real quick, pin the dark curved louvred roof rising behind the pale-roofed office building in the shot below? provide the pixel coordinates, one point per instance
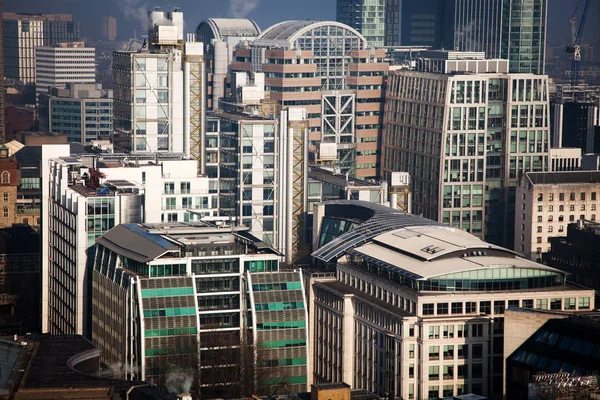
(373, 220)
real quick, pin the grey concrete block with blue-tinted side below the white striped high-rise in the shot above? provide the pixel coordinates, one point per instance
(83, 112)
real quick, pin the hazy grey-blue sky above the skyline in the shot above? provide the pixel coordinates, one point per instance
(130, 13)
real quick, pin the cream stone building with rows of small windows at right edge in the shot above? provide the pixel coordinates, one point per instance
(547, 202)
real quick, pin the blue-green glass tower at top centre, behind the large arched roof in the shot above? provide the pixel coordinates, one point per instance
(378, 21)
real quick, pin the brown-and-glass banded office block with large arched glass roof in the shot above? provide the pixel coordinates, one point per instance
(327, 68)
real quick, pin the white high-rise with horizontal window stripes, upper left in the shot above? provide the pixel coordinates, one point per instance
(63, 63)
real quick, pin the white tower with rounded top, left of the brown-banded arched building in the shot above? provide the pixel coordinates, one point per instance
(220, 37)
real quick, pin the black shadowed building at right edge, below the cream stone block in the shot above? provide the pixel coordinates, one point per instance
(575, 253)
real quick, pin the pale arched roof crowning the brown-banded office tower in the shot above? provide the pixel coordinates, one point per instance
(286, 32)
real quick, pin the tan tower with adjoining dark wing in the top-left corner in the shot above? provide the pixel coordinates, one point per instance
(23, 33)
